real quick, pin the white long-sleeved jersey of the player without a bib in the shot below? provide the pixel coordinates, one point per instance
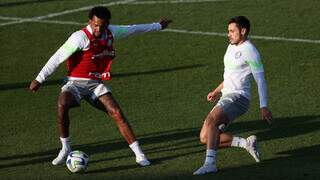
(241, 63)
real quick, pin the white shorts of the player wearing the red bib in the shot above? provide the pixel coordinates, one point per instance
(90, 90)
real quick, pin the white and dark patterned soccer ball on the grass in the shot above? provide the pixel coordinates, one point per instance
(77, 161)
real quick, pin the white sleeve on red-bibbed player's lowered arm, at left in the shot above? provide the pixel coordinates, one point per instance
(75, 42)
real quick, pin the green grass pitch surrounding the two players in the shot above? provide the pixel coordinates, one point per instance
(161, 80)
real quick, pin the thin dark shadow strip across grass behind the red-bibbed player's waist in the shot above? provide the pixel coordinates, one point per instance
(25, 85)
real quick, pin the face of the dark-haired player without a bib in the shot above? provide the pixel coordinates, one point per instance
(235, 34)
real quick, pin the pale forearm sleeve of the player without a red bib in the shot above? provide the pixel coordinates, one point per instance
(262, 88)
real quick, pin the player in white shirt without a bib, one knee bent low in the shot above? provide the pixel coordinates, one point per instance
(241, 63)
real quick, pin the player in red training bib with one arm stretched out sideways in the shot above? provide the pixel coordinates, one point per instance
(89, 53)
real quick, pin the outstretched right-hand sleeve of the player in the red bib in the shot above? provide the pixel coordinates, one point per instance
(123, 31)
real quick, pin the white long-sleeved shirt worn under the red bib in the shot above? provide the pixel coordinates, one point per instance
(78, 41)
